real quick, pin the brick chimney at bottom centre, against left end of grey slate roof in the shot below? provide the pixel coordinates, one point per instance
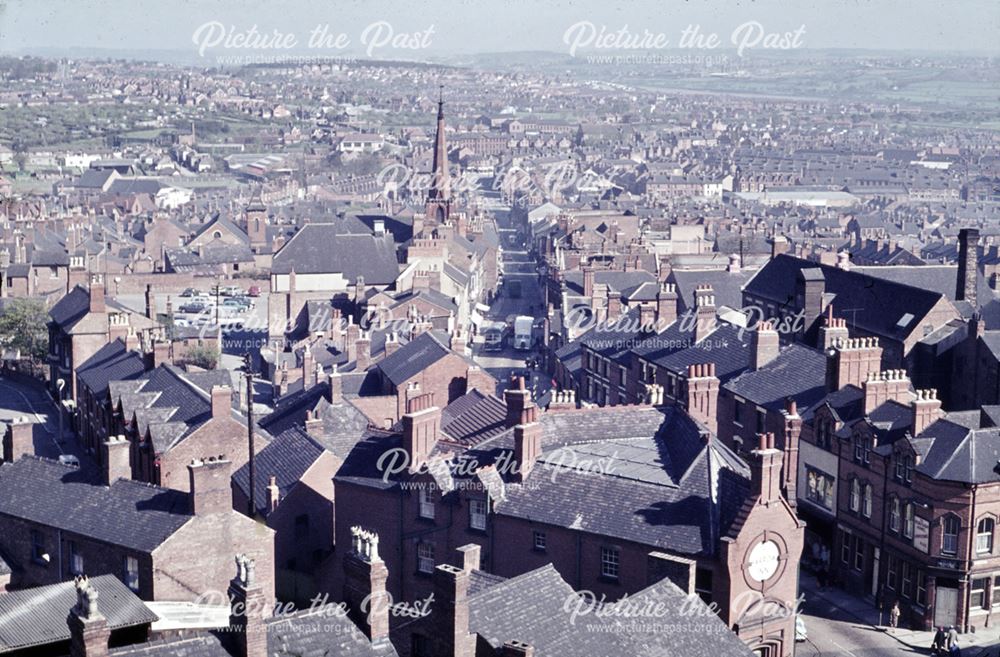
(451, 613)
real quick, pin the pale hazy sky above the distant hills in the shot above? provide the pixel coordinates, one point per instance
(467, 26)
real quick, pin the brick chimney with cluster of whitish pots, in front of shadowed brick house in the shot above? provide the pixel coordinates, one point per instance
(365, 576)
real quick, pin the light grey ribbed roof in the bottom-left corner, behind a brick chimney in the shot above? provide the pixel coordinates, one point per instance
(37, 616)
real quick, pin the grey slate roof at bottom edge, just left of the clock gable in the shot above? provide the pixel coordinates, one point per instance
(532, 608)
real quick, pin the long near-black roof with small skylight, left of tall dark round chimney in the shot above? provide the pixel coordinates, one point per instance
(877, 306)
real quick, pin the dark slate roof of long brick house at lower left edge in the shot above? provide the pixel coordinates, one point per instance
(127, 513)
